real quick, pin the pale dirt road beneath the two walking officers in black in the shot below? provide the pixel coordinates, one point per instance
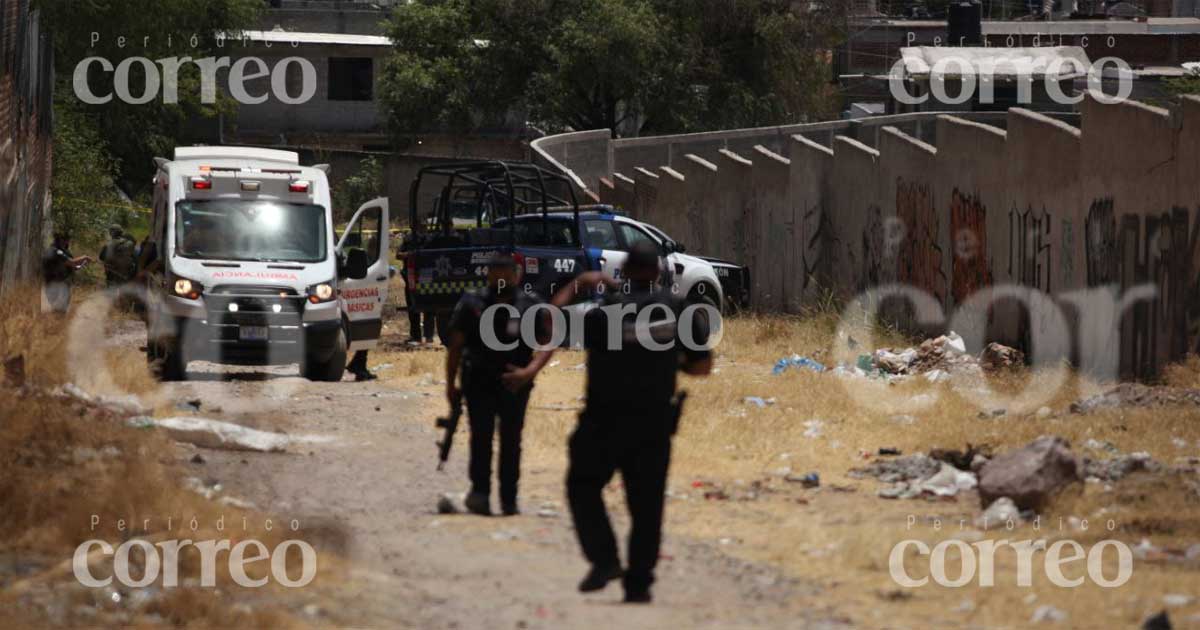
(370, 496)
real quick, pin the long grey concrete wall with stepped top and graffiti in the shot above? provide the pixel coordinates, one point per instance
(1075, 242)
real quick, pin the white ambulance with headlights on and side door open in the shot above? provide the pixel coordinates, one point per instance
(243, 268)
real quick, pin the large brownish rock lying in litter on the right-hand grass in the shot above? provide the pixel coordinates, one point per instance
(1030, 476)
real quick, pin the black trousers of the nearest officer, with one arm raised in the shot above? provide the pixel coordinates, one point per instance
(639, 447)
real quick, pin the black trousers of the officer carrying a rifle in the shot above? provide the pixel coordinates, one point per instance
(484, 405)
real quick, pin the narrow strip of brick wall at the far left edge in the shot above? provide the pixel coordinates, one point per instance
(27, 85)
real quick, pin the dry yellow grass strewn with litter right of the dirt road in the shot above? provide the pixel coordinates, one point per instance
(841, 539)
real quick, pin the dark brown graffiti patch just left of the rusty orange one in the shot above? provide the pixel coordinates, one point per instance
(920, 261)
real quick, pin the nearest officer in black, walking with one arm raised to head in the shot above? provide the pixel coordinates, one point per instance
(631, 415)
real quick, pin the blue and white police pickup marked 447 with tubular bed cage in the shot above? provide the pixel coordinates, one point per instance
(535, 217)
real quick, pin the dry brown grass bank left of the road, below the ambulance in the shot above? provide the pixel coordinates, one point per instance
(67, 461)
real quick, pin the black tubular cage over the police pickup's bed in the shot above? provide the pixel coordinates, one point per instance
(514, 189)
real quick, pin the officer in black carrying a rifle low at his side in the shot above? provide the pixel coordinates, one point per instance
(499, 368)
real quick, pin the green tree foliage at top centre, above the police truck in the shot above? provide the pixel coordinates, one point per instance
(628, 65)
